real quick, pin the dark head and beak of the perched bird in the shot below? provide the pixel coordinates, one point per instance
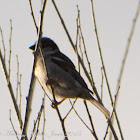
(47, 45)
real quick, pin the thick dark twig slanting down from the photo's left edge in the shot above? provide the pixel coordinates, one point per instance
(11, 90)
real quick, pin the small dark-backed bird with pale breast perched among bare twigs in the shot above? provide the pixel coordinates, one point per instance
(54, 69)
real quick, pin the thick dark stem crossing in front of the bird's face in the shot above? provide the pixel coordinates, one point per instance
(30, 94)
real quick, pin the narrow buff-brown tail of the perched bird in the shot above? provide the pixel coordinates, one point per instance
(101, 108)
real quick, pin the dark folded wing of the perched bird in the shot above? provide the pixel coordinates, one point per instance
(66, 64)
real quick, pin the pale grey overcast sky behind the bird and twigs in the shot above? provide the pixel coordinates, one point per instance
(114, 21)
